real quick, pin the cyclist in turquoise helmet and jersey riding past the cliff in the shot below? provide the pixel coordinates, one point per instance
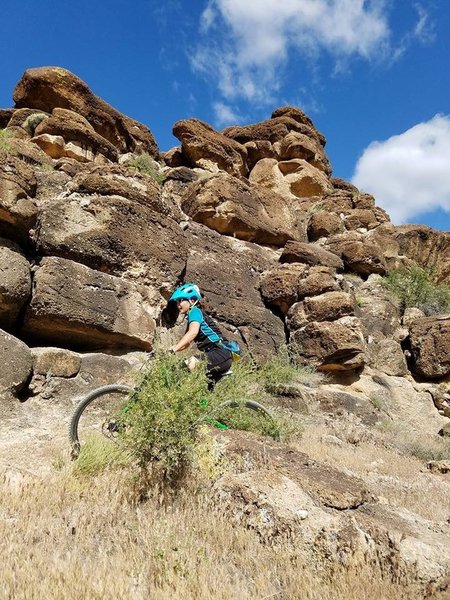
(202, 330)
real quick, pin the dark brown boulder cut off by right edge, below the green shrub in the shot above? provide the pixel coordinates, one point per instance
(430, 346)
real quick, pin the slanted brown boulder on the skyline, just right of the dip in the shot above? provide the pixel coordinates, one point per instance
(199, 141)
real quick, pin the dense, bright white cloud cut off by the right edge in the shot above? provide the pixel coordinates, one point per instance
(409, 174)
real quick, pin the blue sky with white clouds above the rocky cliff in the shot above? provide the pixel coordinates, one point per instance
(373, 75)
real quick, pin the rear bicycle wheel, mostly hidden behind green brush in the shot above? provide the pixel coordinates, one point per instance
(248, 415)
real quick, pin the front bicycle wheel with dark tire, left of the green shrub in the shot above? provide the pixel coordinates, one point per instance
(96, 415)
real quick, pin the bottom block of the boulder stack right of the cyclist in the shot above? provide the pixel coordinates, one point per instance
(330, 346)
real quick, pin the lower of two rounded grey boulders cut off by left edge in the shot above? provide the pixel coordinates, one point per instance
(15, 358)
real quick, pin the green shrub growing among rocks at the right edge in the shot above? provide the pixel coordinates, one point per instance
(414, 287)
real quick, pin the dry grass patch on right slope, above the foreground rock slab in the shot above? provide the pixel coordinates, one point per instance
(389, 464)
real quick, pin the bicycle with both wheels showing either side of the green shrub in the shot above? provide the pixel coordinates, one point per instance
(98, 412)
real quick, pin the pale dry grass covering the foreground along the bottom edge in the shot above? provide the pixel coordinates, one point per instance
(71, 537)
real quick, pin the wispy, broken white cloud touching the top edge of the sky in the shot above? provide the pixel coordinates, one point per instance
(246, 44)
